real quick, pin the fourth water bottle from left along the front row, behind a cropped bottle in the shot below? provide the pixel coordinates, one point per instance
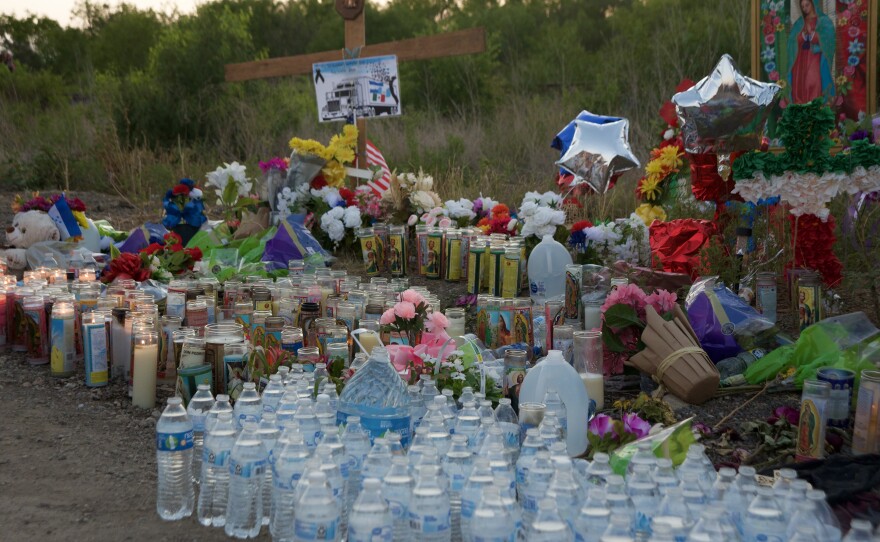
(289, 468)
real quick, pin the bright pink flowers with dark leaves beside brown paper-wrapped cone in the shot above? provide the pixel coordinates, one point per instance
(624, 318)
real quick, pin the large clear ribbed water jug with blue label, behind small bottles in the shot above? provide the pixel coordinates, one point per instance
(378, 395)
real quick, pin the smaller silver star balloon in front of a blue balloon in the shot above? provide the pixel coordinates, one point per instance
(598, 152)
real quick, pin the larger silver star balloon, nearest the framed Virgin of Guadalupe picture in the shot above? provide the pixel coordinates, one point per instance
(724, 112)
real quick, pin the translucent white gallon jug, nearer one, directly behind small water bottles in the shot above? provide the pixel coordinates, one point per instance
(553, 372)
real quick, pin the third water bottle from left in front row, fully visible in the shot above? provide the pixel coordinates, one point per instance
(247, 470)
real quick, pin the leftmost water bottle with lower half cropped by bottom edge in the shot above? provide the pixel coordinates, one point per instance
(317, 511)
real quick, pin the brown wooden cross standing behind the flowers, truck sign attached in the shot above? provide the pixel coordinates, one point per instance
(461, 42)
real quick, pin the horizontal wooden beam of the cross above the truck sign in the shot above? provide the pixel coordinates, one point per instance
(460, 42)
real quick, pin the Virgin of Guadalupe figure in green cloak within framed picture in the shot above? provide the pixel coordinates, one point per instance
(811, 48)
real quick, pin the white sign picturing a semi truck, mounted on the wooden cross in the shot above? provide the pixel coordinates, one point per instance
(357, 87)
